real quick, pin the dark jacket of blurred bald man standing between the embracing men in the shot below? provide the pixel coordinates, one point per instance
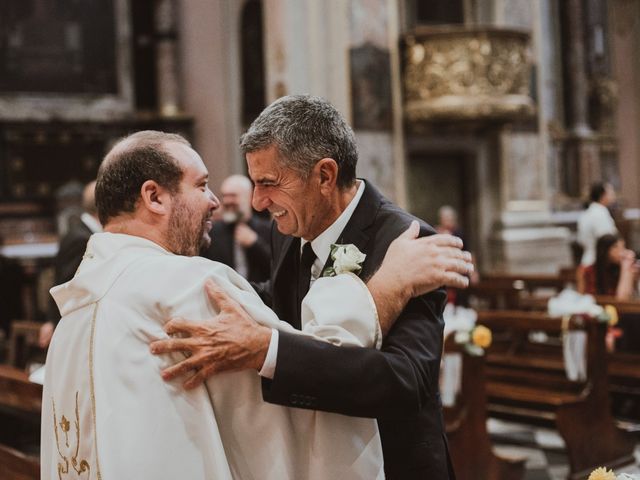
(258, 255)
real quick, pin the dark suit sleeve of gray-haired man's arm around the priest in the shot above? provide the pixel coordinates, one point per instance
(400, 378)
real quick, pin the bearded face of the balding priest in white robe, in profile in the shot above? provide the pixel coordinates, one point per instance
(192, 207)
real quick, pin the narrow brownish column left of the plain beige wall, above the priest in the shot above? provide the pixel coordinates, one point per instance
(166, 58)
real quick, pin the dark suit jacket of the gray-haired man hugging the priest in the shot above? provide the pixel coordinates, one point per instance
(398, 385)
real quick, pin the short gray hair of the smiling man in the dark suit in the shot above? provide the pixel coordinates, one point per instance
(305, 129)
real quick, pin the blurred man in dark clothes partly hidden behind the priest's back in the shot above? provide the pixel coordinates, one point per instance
(70, 253)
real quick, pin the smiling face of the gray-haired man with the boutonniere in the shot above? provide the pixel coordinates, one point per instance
(296, 203)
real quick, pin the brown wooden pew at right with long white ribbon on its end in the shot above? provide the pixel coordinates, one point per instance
(526, 381)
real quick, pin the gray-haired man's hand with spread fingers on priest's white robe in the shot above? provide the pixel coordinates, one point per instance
(230, 341)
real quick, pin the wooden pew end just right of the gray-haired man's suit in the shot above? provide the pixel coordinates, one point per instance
(466, 425)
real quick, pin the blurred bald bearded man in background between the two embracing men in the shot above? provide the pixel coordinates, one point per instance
(241, 239)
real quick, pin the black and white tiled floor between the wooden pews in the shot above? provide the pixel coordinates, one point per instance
(543, 449)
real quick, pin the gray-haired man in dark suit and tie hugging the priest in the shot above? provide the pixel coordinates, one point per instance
(302, 159)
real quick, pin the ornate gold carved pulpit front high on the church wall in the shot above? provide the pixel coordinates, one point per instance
(467, 73)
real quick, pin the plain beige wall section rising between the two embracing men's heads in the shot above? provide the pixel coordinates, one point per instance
(210, 67)
